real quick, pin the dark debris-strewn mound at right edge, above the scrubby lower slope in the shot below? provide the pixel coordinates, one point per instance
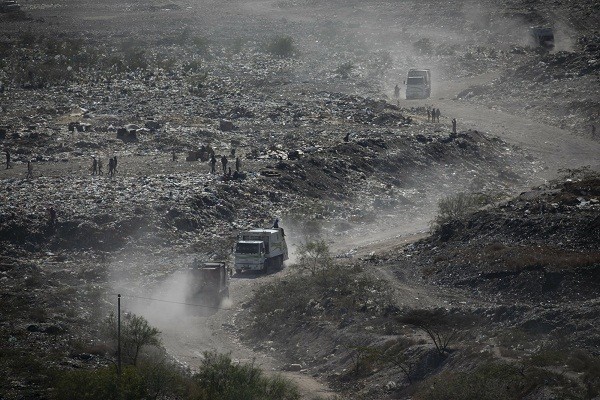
(539, 246)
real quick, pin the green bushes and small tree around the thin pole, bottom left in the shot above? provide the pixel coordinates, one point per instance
(148, 373)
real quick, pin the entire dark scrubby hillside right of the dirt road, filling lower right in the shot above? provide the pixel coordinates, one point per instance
(502, 302)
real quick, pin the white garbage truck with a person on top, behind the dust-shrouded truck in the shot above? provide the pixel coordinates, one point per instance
(260, 250)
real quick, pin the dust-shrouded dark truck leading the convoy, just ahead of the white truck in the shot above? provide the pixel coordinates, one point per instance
(209, 282)
